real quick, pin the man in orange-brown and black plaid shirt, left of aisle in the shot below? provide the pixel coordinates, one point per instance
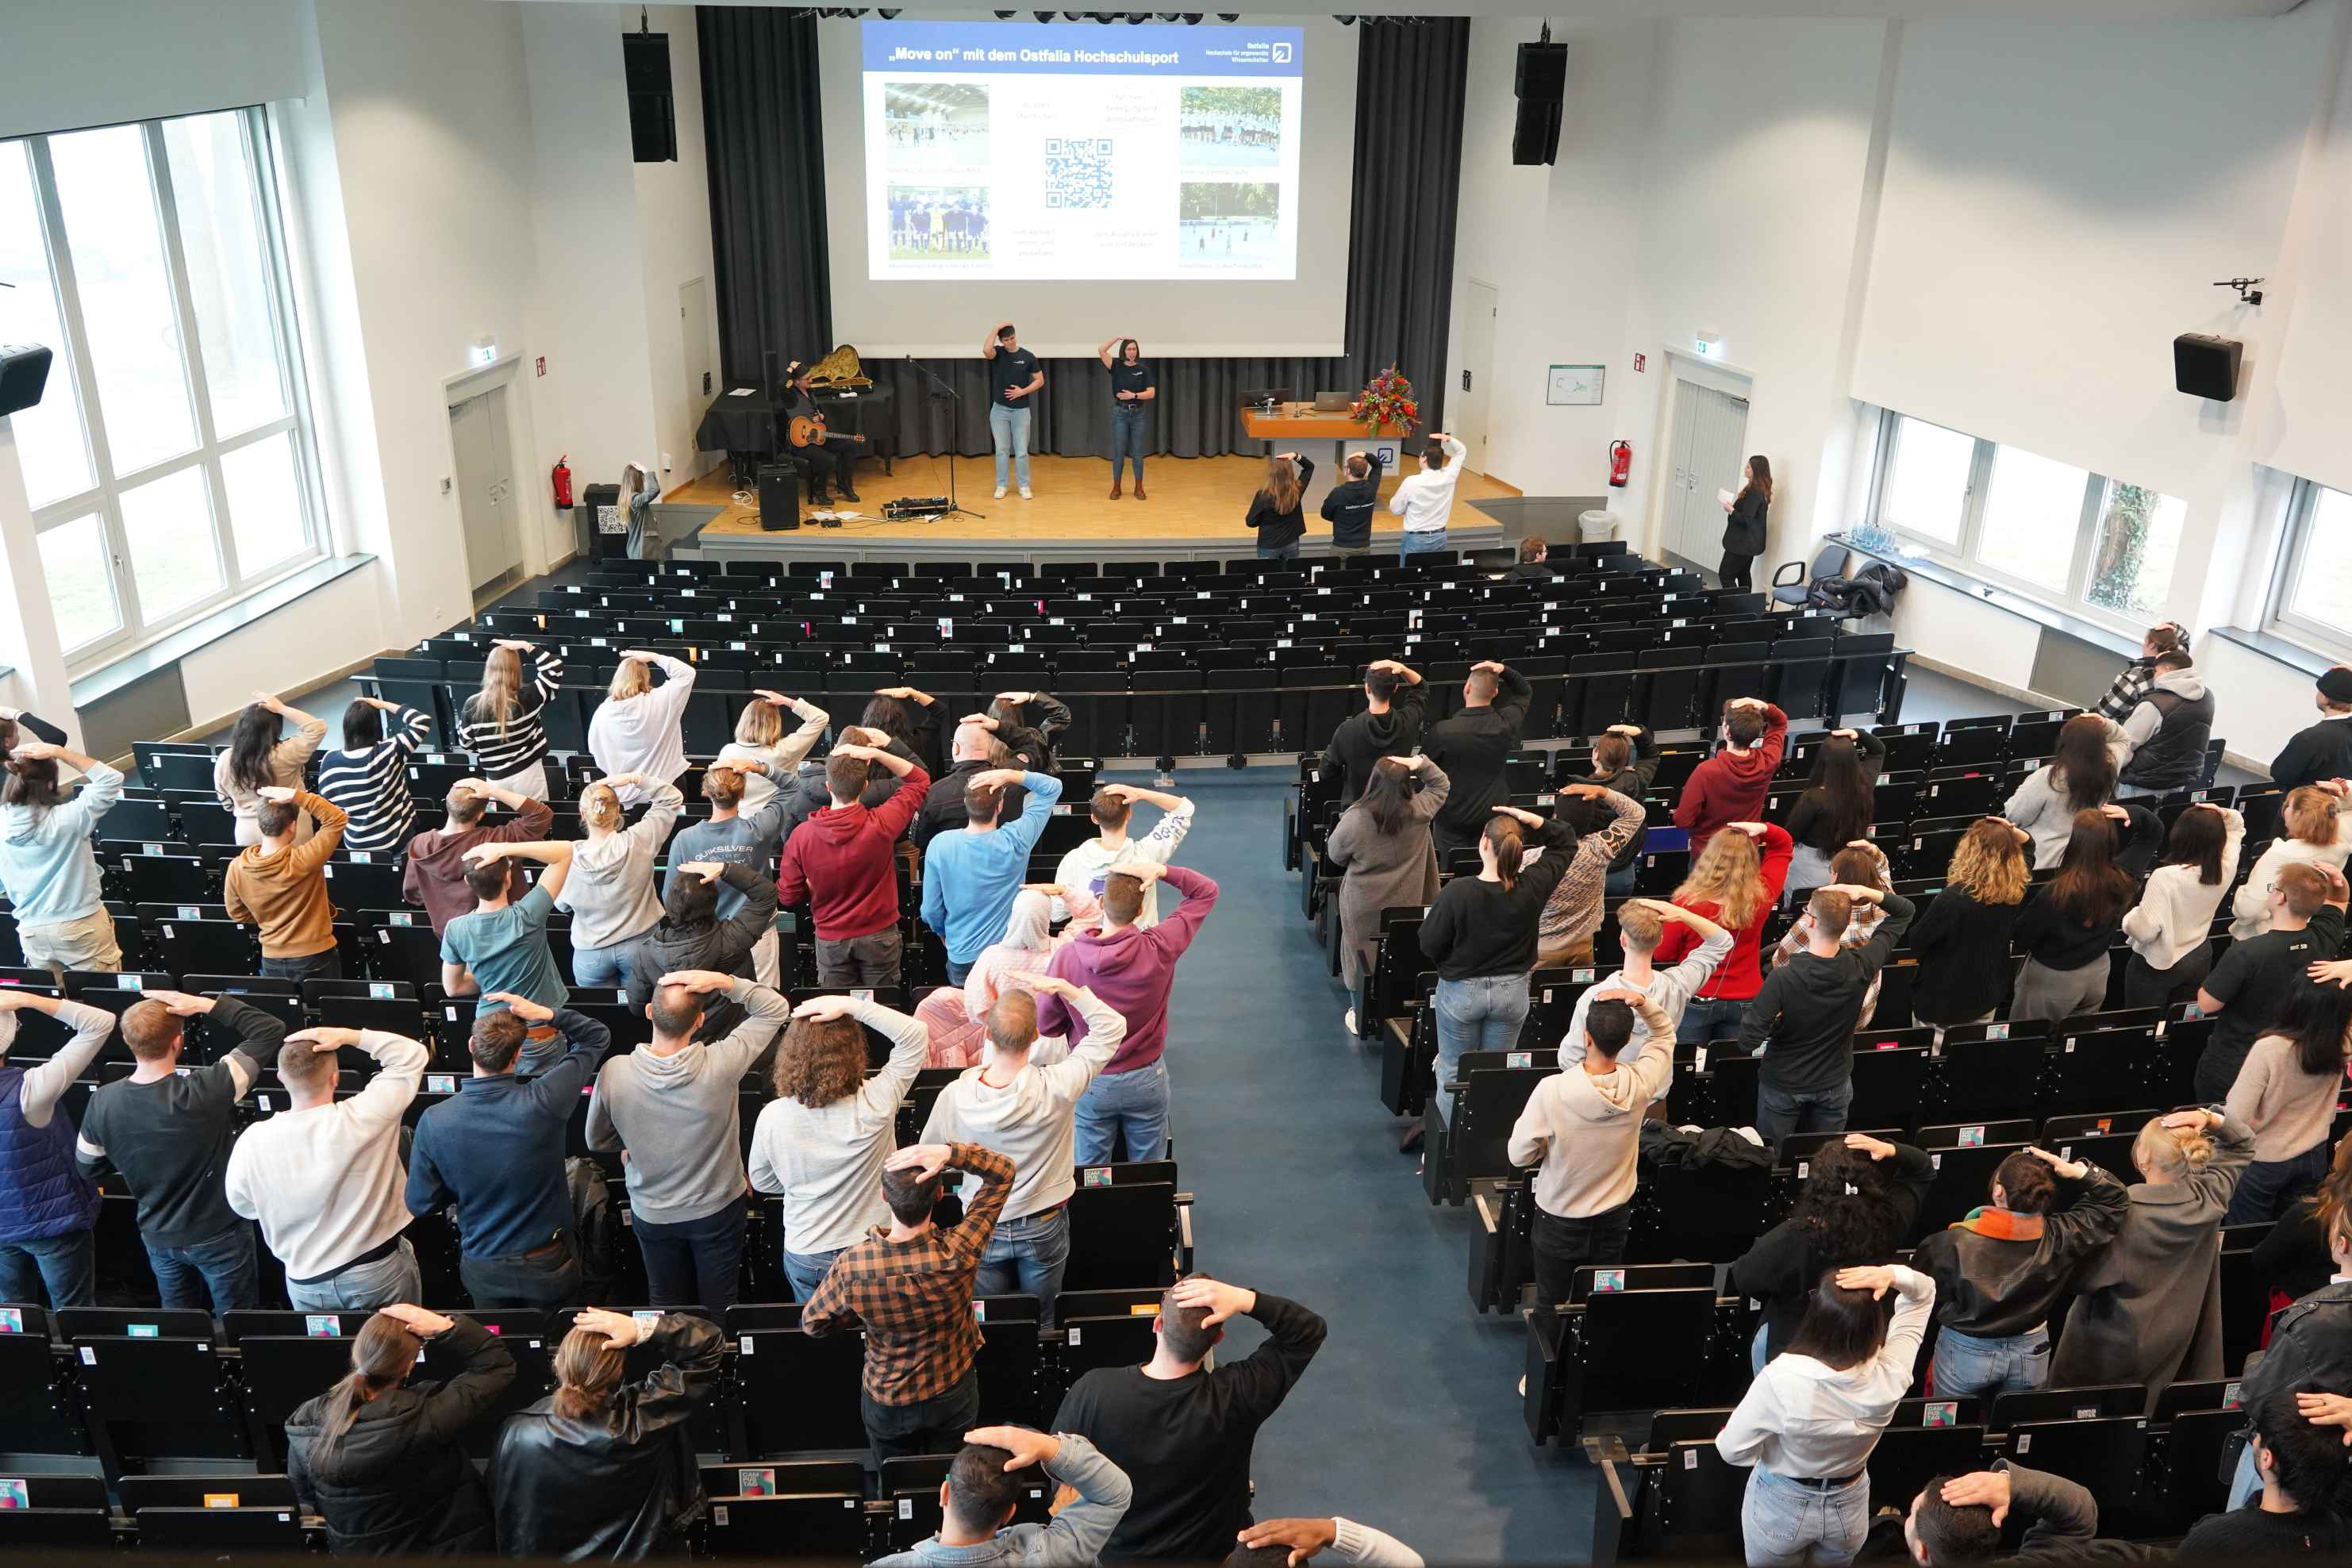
(911, 1289)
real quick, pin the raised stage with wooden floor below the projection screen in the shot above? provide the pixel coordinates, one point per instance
(1194, 514)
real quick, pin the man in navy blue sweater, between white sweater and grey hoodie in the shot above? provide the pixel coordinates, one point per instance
(497, 1151)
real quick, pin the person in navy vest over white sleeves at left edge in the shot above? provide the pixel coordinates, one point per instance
(48, 1207)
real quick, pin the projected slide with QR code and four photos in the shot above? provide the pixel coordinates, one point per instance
(1074, 152)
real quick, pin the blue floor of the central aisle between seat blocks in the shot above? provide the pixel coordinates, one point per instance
(1410, 1416)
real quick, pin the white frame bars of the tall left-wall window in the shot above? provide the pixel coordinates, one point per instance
(74, 368)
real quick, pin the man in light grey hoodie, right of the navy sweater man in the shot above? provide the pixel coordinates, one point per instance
(674, 1111)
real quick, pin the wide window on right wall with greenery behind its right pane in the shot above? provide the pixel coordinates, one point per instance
(2031, 523)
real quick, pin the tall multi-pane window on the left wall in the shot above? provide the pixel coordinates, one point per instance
(171, 462)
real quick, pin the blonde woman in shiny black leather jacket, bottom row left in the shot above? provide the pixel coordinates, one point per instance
(606, 1468)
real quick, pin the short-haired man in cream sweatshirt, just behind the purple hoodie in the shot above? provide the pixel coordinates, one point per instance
(1022, 1101)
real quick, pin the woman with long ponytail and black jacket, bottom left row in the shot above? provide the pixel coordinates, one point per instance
(382, 1459)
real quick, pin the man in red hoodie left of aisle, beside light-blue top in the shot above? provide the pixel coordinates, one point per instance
(841, 864)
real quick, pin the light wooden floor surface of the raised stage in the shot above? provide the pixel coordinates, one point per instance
(1194, 502)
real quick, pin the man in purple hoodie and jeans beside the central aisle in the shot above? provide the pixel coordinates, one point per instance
(1130, 967)
